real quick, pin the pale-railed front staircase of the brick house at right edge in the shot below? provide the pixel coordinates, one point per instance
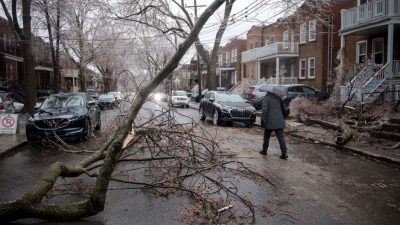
(370, 82)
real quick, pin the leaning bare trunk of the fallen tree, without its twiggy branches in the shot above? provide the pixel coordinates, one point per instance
(30, 204)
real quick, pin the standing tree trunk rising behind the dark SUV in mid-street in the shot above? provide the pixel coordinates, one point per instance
(212, 64)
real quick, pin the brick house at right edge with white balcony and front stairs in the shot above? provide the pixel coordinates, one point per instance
(370, 56)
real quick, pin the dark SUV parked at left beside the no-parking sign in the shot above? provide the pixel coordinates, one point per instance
(67, 115)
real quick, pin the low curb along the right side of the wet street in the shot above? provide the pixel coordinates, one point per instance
(367, 154)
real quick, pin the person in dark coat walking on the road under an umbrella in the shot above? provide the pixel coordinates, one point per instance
(273, 117)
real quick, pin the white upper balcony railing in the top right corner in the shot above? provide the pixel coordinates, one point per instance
(369, 12)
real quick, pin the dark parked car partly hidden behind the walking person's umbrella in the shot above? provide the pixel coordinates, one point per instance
(255, 94)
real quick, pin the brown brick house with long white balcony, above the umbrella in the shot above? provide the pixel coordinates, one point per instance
(300, 48)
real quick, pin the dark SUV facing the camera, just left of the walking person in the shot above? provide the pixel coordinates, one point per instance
(223, 106)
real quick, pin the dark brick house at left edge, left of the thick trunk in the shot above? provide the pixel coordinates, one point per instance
(11, 61)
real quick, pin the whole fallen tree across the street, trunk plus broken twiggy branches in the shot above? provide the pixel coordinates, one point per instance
(31, 204)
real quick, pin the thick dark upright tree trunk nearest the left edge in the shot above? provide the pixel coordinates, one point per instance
(29, 68)
